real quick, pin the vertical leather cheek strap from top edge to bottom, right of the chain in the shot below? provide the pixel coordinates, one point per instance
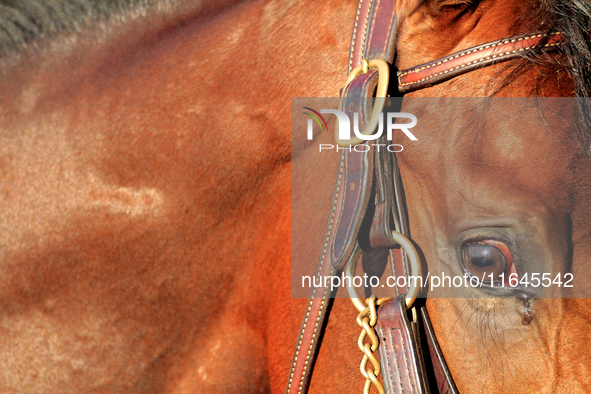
(374, 37)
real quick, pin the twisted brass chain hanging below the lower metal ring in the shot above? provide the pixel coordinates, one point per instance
(367, 320)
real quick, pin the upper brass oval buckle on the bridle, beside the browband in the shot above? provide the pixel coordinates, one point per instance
(378, 107)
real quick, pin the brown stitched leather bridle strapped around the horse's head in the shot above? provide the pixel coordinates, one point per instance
(377, 174)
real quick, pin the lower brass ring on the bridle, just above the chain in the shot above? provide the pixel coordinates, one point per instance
(415, 270)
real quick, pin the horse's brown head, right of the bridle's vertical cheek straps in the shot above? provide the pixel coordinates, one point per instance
(522, 181)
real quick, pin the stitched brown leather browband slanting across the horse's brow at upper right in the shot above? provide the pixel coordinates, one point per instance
(458, 63)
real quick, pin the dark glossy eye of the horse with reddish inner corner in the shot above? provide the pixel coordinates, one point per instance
(487, 259)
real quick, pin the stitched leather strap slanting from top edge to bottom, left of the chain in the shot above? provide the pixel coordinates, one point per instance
(373, 35)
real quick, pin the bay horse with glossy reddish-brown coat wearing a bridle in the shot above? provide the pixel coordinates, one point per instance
(145, 194)
